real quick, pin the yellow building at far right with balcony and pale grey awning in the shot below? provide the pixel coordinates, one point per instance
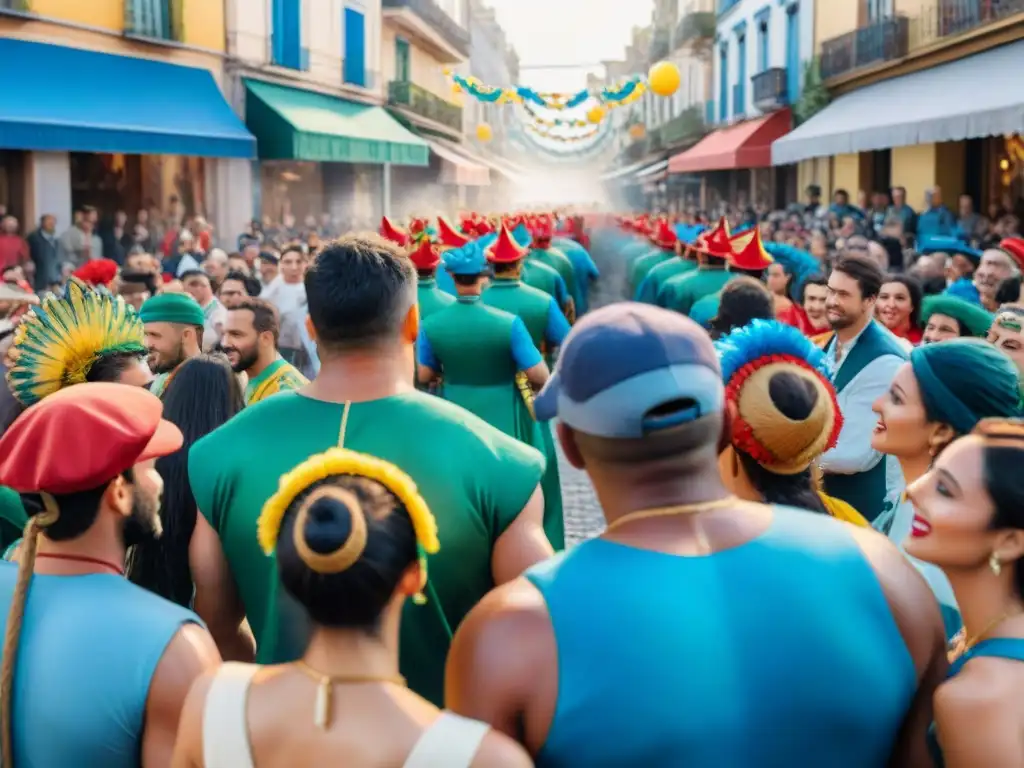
(933, 77)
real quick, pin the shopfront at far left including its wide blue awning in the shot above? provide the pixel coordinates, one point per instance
(123, 134)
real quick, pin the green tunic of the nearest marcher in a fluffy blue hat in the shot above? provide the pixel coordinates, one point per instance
(474, 344)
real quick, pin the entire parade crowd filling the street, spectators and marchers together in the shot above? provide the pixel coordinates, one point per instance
(300, 504)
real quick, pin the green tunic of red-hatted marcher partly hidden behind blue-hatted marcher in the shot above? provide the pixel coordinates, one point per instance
(532, 307)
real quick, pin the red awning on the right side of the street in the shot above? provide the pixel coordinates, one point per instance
(746, 145)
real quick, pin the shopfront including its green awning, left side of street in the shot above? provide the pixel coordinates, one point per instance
(322, 154)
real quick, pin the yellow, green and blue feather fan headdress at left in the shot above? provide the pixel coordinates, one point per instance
(60, 342)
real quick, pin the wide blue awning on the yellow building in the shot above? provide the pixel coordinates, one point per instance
(67, 100)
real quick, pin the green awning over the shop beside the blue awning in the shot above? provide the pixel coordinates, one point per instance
(294, 124)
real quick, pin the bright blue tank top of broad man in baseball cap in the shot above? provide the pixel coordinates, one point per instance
(782, 652)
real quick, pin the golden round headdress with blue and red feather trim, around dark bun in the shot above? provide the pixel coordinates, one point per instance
(786, 444)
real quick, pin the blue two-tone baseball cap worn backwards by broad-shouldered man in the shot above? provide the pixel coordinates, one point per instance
(621, 363)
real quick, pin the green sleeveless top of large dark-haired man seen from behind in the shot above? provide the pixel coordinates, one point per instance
(476, 480)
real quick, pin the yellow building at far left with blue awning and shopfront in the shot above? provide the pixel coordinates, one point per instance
(117, 105)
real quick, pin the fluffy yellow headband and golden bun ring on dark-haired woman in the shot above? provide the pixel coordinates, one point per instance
(339, 461)
